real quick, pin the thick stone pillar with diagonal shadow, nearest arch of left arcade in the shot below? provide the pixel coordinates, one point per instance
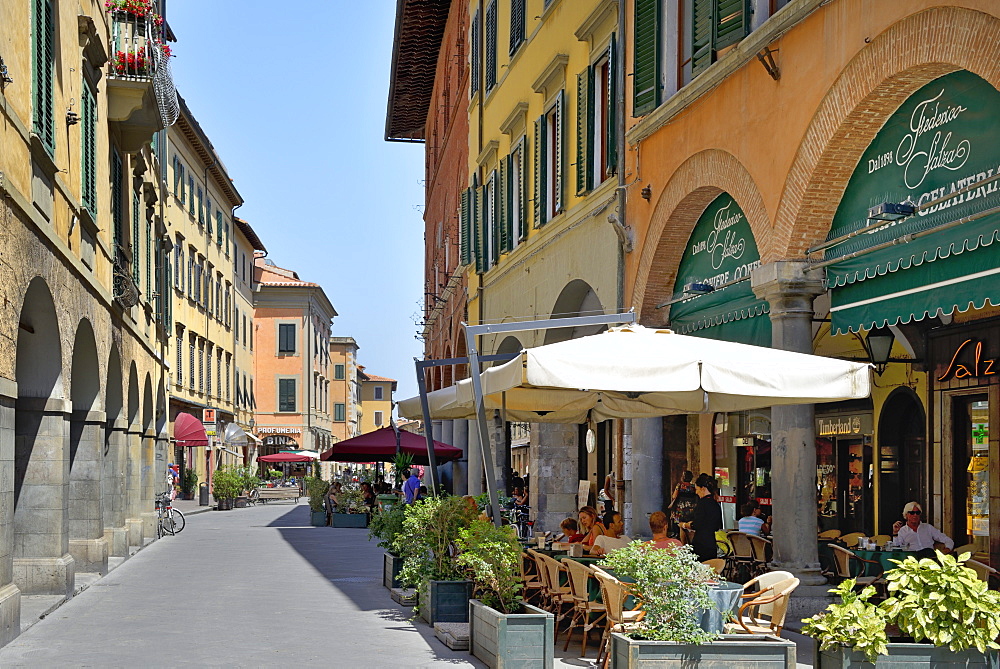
(42, 563)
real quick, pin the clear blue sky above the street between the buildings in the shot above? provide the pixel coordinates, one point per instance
(293, 98)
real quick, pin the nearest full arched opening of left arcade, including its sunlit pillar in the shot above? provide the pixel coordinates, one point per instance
(40, 540)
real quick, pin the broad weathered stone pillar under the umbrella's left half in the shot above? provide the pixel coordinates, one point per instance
(555, 477)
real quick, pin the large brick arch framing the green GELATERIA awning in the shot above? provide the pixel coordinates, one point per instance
(872, 86)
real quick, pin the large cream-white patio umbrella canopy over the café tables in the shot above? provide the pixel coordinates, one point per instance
(636, 372)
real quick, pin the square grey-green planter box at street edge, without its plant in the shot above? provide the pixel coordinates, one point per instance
(504, 640)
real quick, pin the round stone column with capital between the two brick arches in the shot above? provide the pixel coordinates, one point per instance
(790, 292)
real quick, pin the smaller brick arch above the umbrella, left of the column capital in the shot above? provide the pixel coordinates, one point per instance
(691, 188)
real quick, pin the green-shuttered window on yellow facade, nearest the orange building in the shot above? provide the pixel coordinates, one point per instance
(595, 108)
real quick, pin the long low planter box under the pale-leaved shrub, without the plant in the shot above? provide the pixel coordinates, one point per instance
(730, 650)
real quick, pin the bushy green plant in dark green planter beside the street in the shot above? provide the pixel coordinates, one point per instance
(427, 546)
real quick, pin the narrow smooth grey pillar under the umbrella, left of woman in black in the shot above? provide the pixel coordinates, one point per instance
(648, 480)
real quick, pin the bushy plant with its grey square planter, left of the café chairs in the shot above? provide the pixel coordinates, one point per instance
(503, 629)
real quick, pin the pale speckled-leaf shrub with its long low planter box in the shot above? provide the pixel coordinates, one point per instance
(674, 589)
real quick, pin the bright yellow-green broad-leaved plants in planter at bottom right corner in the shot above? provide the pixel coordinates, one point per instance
(940, 604)
